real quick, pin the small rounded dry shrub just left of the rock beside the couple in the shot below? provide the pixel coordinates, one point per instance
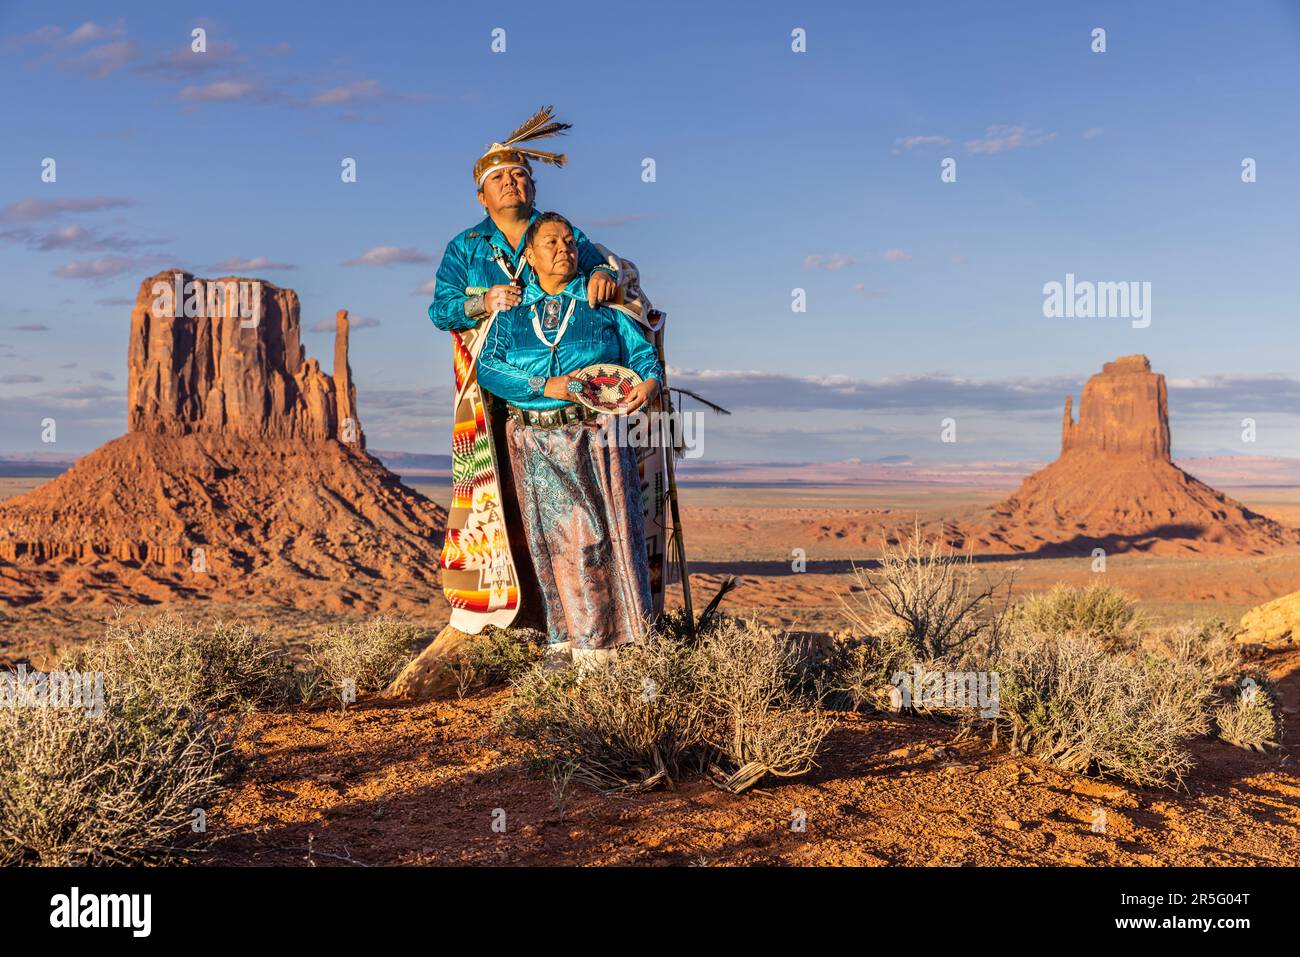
(369, 653)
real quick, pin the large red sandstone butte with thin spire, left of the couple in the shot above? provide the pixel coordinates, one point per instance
(244, 477)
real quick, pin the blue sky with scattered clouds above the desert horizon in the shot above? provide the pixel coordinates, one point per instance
(775, 171)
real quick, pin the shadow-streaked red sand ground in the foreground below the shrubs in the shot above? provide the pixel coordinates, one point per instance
(389, 785)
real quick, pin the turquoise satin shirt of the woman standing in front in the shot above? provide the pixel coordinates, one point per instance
(513, 353)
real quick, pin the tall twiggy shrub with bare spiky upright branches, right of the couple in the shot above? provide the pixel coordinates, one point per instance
(933, 599)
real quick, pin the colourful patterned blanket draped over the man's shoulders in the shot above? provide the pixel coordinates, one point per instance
(487, 575)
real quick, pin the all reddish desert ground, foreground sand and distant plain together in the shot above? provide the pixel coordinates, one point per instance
(391, 783)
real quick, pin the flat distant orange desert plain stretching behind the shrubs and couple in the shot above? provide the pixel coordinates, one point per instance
(795, 547)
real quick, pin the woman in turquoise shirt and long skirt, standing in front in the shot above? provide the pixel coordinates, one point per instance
(579, 492)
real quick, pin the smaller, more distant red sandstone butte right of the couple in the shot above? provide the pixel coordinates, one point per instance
(1115, 486)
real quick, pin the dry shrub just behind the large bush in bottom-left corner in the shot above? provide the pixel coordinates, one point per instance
(192, 666)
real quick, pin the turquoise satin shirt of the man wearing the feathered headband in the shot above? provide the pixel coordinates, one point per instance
(470, 263)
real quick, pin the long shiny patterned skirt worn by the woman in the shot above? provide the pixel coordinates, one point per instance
(580, 500)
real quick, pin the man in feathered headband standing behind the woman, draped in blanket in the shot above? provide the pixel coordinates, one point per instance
(478, 278)
